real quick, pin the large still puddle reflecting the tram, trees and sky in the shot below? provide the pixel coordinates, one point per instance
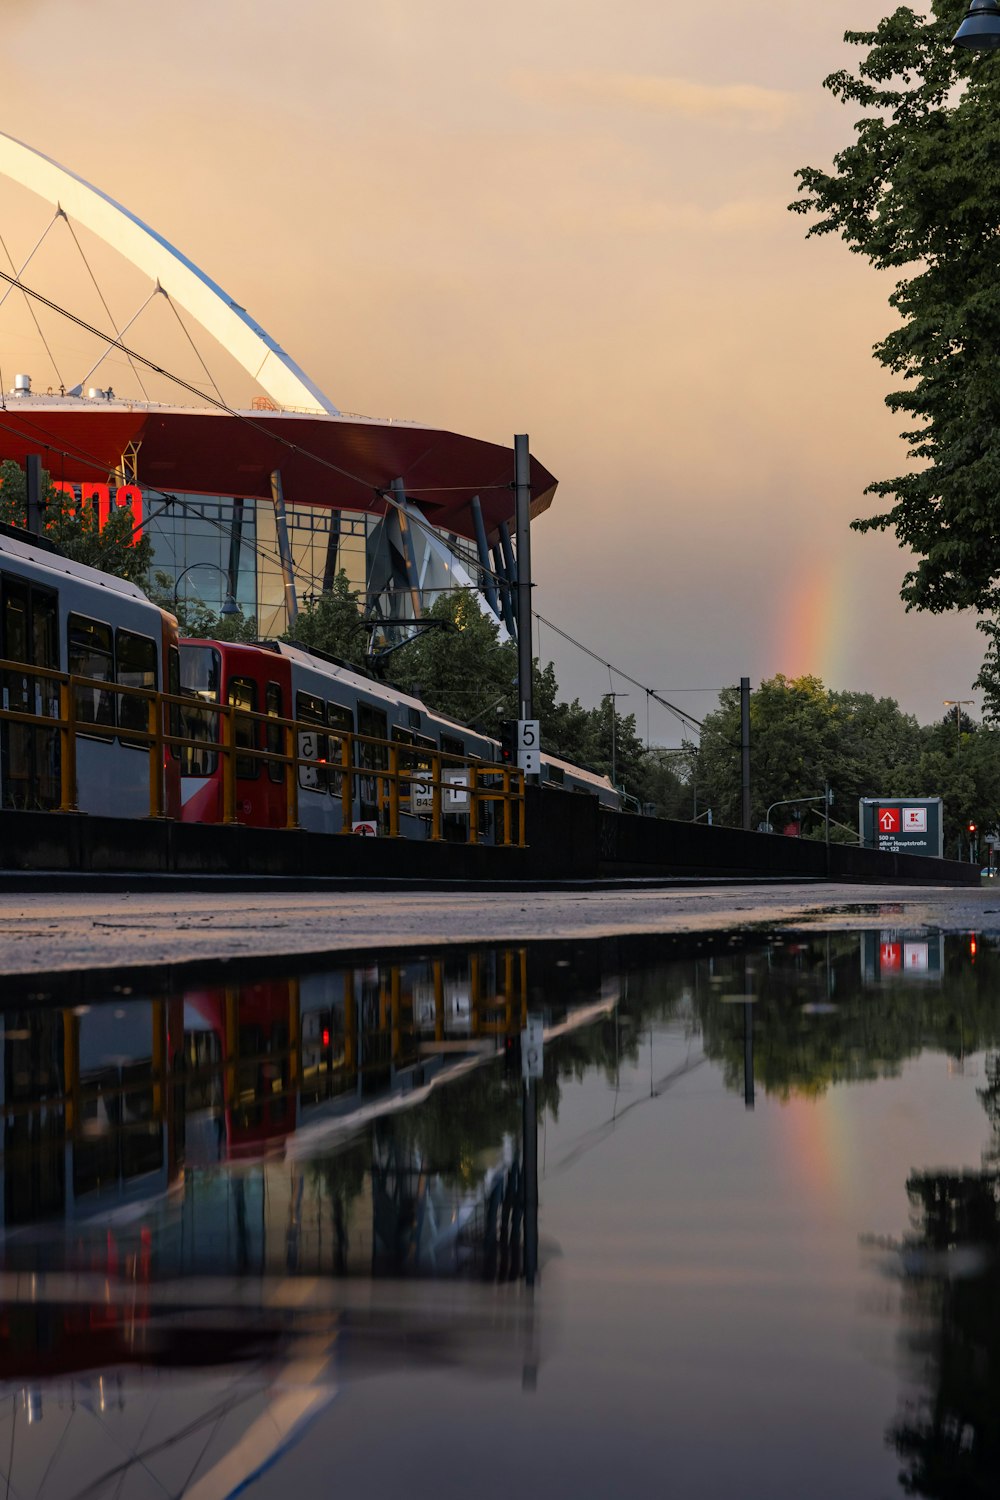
(272, 1232)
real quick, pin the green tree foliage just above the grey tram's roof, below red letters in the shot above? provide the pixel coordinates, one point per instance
(74, 529)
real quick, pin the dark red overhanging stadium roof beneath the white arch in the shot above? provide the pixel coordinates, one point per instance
(338, 463)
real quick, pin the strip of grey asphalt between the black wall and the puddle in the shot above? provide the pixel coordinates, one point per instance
(116, 929)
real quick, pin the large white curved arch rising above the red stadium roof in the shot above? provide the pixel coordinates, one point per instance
(218, 314)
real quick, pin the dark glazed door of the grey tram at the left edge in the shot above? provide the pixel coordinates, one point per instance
(29, 757)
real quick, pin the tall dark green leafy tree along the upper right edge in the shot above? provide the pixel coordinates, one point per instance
(920, 194)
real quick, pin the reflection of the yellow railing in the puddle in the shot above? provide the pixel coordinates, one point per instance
(298, 1055)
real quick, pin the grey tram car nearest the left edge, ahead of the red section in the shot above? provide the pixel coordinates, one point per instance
(62, 617)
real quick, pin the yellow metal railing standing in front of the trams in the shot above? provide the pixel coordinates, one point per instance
(451, 782)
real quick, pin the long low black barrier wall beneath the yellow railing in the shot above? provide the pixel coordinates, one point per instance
(569, 839)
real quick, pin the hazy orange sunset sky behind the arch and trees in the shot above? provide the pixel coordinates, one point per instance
(555, 217)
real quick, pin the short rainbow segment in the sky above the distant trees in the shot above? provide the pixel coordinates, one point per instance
(812, 626)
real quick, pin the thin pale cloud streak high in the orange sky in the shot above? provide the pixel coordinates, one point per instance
(744, 106)
